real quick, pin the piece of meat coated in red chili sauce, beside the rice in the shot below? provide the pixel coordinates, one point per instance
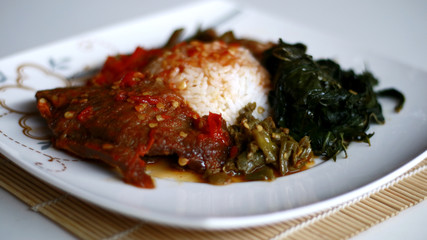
(135, 117)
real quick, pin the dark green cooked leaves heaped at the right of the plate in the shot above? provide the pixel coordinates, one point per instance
(317, 98)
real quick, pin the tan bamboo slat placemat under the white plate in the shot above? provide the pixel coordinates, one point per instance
(87, 221)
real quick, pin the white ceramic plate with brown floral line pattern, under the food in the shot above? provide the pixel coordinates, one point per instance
(396, 147)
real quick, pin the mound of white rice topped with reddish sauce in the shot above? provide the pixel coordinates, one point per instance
(215, 77)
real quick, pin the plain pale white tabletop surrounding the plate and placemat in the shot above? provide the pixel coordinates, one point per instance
(395, 29)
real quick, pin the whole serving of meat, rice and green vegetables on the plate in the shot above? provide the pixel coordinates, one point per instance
(212, 104)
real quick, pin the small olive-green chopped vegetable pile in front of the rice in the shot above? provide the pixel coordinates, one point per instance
(262, 148)
